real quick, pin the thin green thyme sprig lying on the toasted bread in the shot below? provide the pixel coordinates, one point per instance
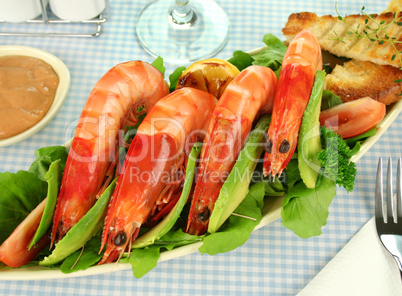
(372, 32)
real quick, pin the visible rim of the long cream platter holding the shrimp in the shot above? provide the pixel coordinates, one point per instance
(271, 211)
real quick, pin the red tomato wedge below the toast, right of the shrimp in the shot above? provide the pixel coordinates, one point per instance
(353, 118)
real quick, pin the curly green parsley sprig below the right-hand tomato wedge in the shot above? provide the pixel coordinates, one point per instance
(335, 161)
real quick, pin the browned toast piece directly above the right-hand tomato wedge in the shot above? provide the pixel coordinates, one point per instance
(358, 79)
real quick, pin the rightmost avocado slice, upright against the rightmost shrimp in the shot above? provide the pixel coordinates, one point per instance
(309, 143)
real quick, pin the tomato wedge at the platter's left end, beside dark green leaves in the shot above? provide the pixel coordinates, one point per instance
(14, 250)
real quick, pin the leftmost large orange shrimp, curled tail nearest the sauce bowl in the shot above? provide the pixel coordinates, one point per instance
(111, 105)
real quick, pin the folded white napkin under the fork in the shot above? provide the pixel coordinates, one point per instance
(362, 267)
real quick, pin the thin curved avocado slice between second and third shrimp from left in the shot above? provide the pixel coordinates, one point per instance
(167, 223)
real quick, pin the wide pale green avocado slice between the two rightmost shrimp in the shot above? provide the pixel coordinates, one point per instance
(236, 186)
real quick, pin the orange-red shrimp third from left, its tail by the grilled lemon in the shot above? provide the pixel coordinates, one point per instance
(248, 96)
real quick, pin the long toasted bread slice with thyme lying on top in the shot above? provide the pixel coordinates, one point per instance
(332, 35)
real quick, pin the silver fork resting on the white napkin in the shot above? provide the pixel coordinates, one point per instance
(388, 212)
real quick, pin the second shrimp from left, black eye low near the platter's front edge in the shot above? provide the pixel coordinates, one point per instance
(155, 155)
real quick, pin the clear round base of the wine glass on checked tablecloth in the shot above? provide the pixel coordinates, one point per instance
(182, 32)
